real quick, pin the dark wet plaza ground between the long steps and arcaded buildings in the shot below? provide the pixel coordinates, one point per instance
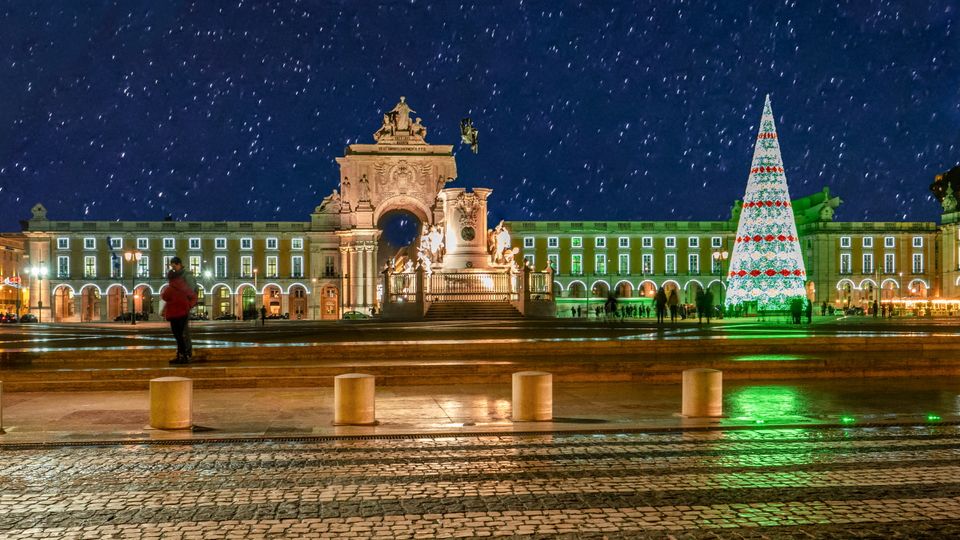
(218, 334)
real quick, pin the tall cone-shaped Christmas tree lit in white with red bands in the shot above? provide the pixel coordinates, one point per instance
(766, 266)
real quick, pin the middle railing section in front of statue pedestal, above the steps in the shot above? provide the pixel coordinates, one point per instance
(472, 287)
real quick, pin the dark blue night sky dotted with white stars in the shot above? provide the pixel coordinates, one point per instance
(597, 110)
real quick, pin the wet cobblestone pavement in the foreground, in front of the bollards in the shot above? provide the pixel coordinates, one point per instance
(766, 483)
